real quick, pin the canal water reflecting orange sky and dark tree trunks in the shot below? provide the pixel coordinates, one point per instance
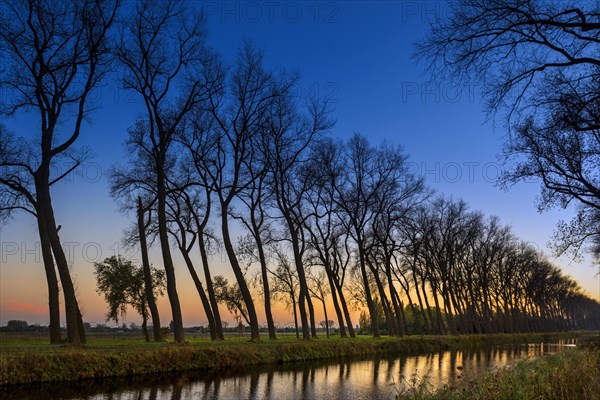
(347, 379)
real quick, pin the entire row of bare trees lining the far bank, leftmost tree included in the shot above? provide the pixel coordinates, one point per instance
(218, 148)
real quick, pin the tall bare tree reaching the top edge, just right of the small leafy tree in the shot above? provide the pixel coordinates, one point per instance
(163, 53)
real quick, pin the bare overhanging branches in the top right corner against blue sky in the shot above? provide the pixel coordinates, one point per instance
(513, 46)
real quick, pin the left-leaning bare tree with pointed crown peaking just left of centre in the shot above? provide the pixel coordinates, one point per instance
(234, 119)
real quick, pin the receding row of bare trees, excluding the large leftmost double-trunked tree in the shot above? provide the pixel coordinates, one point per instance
(235, 145)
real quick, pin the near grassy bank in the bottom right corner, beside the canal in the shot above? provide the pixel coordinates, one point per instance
(571, 374)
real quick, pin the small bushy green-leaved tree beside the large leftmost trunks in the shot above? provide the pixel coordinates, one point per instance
(122, 285)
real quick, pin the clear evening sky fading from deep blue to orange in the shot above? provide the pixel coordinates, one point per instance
(360, 53)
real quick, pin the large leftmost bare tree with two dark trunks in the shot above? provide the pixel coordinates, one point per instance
(54, 55)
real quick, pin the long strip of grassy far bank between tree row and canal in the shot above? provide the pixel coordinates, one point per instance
(46, 363)
